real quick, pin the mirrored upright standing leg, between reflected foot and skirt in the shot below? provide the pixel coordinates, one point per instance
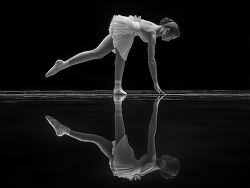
(119, 124)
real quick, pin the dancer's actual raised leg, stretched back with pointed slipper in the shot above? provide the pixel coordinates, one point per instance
(100, 51)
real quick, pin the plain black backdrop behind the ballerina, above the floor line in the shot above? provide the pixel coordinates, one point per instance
(211, 52)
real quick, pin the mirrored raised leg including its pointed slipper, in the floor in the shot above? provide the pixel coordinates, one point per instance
(104, 145)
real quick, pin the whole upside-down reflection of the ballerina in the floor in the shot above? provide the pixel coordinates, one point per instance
(121, 156)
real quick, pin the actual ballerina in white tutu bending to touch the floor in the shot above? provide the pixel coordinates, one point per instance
(122, 31)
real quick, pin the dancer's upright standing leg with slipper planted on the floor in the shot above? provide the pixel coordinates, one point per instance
(119, 68)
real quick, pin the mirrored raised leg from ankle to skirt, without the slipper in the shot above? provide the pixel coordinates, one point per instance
(104, 145)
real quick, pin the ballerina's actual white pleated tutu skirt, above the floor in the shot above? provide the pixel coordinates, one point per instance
(123, 33)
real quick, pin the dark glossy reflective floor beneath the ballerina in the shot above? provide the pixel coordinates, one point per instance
(205, 134)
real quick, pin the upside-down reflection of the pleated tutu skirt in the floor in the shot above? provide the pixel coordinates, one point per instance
(124, 162)
